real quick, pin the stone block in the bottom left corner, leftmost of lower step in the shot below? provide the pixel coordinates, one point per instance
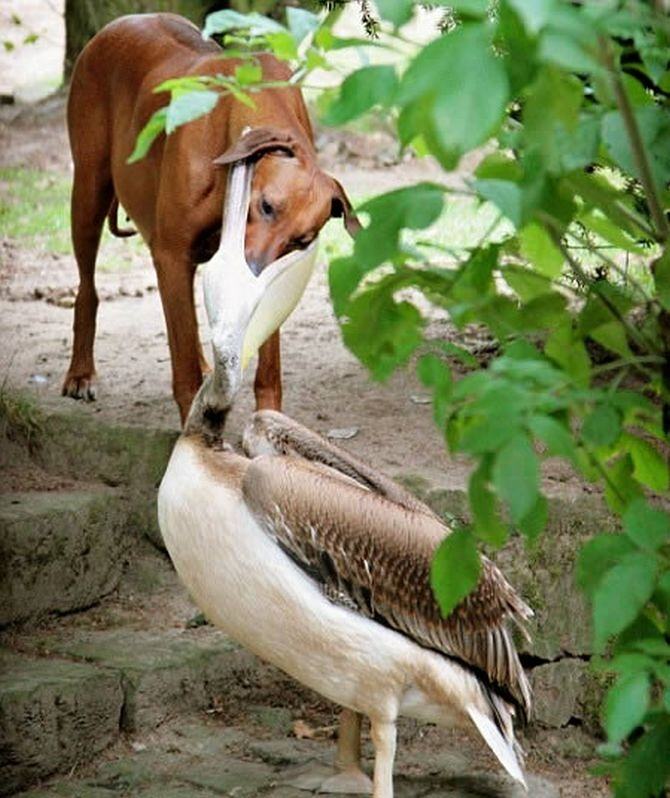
(53, 715)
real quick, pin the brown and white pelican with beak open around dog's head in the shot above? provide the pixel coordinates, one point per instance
(319, 565)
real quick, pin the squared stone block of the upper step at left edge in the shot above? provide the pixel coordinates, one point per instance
(59, 551)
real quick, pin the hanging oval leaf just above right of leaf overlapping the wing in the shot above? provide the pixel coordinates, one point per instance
(516, 476)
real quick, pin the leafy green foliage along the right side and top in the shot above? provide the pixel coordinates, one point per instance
(570, 101)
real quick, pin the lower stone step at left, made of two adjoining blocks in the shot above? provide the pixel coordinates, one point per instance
(60, 710)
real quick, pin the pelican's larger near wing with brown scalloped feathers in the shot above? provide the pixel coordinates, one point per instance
(377, 555)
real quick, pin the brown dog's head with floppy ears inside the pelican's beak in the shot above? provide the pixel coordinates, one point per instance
(291, 198)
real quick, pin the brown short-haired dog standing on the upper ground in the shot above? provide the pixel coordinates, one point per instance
(175, 194)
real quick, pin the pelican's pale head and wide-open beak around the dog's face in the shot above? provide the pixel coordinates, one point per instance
(245, 309)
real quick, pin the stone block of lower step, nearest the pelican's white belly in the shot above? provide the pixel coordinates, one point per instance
(162, 673)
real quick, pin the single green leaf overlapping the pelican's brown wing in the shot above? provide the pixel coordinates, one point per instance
(455, 569)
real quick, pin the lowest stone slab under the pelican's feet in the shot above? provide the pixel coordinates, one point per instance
(200, 757)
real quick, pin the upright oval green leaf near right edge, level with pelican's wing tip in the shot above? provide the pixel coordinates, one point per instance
(621, 594)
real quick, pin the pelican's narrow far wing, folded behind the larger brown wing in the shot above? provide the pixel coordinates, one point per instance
(272, 432)
